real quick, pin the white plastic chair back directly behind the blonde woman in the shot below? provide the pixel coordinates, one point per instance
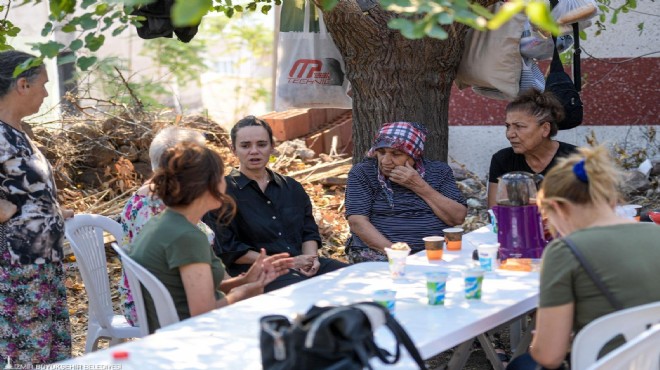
(629, 323)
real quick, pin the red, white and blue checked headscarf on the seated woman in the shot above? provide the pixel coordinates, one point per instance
(408, 137)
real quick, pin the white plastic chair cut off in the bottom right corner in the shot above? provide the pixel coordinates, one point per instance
(642, 352)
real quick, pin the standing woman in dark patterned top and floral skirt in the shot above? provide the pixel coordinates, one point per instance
(34, 318)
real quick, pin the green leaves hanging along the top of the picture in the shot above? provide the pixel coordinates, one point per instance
(91, 20)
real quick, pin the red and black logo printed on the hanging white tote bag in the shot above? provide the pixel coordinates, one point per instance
(312, 71)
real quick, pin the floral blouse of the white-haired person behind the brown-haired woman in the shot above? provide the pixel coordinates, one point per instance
(138, 210)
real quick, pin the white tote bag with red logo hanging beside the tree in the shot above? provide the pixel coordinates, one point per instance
(310, 70)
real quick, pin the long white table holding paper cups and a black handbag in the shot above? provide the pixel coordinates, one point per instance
(228, 338)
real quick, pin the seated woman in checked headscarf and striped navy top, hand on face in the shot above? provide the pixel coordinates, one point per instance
(396, 195)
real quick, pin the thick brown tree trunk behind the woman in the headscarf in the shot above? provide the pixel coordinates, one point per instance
(394, 78)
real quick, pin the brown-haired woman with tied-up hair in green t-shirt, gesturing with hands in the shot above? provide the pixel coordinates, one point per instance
(190, 182)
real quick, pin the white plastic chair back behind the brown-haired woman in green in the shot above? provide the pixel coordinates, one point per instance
(139, 276)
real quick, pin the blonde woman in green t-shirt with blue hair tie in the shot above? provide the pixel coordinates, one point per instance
(579, 196)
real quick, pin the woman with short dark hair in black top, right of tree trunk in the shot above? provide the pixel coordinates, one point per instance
(531, 124)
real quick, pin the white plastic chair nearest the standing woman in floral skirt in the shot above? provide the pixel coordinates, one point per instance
(85, 235)
